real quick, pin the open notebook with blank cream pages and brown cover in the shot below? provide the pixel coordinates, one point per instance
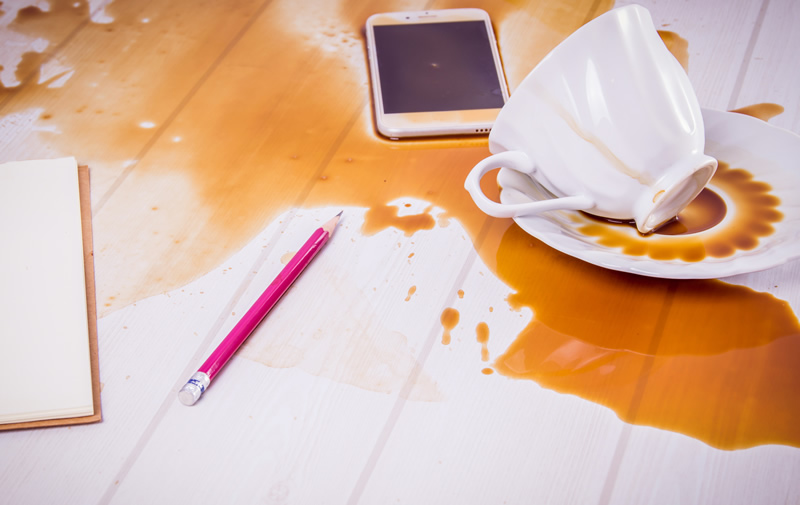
(49, 373)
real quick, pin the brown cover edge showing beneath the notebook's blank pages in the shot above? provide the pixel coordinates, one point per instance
(88, 260)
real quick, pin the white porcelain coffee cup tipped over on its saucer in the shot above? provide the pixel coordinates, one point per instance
(608, 122)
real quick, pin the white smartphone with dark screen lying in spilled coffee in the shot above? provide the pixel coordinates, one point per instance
(434, 72)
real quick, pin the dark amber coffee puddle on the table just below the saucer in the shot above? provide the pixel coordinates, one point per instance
(703, 358)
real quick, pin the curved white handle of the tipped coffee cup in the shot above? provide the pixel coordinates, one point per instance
(520, 162)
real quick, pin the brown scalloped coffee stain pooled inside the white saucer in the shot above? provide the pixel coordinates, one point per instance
(695, 235)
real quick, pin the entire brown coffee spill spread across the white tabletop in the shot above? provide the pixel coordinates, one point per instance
(711, 360)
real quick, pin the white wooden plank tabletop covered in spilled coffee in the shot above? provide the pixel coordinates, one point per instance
(220, 134)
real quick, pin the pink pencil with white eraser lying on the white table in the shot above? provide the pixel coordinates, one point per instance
(191, 391)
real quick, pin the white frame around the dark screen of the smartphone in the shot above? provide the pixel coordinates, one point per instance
(420, 124)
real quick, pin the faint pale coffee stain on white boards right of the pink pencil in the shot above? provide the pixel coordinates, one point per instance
(357, 350)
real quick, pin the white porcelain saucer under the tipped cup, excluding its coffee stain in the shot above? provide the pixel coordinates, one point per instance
(771, 154)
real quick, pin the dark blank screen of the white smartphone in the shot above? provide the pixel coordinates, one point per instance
(436, 67)
